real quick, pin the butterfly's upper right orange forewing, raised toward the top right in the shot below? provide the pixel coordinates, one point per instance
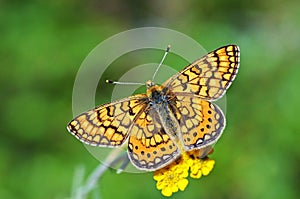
(210, 76)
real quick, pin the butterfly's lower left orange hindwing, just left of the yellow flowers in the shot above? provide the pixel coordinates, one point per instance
(149, 146)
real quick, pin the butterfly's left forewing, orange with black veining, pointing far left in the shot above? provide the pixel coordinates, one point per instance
(108, 125)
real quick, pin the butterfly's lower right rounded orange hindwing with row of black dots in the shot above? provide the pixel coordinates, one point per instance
(201, 122)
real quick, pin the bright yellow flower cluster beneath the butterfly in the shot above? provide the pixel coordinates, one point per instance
(173, 177)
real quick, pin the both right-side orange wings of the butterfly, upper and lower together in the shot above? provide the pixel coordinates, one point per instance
(205, 80)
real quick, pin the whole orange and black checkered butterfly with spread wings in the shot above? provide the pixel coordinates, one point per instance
(168, 119)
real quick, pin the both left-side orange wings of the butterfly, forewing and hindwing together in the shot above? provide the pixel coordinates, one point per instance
(109, 125)
